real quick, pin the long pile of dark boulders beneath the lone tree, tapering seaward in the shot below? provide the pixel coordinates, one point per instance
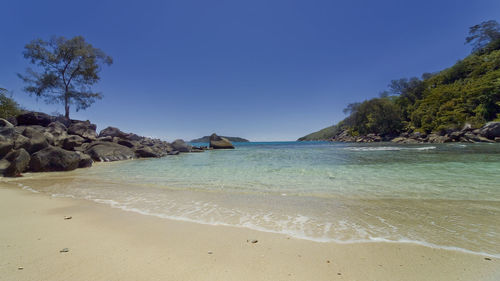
(38, 142)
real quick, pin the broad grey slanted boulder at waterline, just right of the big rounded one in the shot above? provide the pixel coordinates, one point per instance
(109, 151)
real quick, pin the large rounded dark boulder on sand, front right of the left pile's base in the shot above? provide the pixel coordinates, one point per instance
(54, 159)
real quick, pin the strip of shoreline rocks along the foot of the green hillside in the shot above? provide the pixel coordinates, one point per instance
(488, 133)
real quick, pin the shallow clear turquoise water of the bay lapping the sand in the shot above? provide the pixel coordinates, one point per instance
(445, 195)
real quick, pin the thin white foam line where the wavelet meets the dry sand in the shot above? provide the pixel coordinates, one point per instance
(296, 233)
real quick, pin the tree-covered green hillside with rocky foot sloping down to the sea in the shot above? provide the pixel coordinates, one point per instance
(457, 104)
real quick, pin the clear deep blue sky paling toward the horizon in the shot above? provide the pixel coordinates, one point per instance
(263, 70)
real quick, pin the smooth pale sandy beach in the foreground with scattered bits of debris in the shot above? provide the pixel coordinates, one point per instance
(110, 244)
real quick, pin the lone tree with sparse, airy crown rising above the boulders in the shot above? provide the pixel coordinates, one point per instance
(66, 71)
